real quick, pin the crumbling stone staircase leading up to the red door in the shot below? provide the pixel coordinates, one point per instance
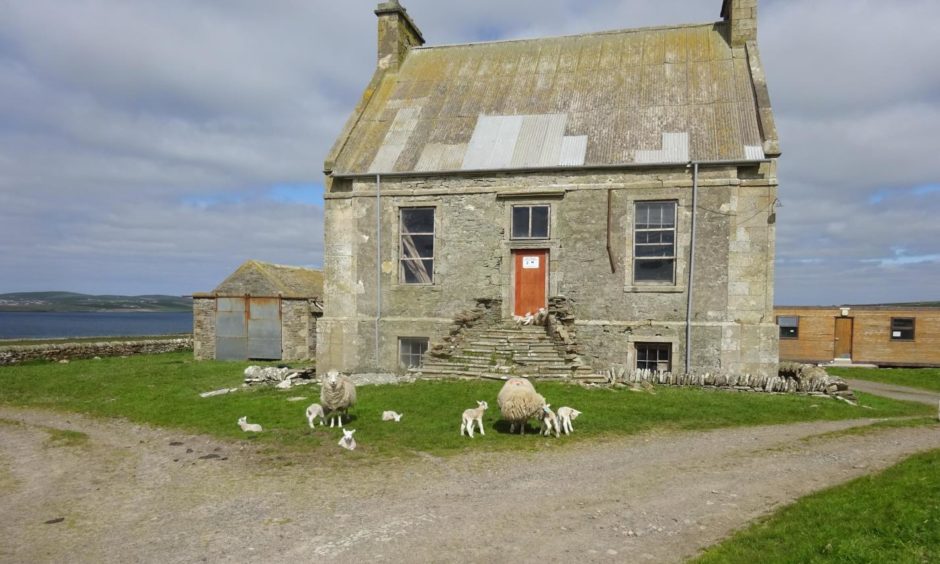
(503, 351)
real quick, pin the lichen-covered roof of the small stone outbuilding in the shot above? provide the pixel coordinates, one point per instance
(269, 280)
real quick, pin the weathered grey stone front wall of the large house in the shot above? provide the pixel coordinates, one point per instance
(732, 328)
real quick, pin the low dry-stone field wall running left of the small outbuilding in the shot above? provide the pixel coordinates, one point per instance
(71, 351)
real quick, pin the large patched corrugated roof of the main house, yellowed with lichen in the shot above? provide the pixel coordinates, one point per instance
(655, 95)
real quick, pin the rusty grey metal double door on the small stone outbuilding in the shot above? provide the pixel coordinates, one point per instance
(248, 328)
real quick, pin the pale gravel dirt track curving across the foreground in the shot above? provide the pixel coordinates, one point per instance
(131, 495)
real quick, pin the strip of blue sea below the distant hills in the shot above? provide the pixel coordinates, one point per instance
(52, 325)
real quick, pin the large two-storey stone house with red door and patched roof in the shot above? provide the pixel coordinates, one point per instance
(629, 175)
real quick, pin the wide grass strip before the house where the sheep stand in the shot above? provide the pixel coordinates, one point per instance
(163, 390)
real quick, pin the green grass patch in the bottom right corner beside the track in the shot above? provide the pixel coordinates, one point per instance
(893, 517)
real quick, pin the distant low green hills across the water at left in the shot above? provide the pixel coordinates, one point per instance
(69, 301)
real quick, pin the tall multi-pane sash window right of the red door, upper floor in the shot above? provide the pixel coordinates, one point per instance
(654, 243)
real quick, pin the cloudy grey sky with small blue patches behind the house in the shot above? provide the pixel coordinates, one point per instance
(152, 146)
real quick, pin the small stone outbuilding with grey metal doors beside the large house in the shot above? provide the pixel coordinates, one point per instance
(261, 311)
